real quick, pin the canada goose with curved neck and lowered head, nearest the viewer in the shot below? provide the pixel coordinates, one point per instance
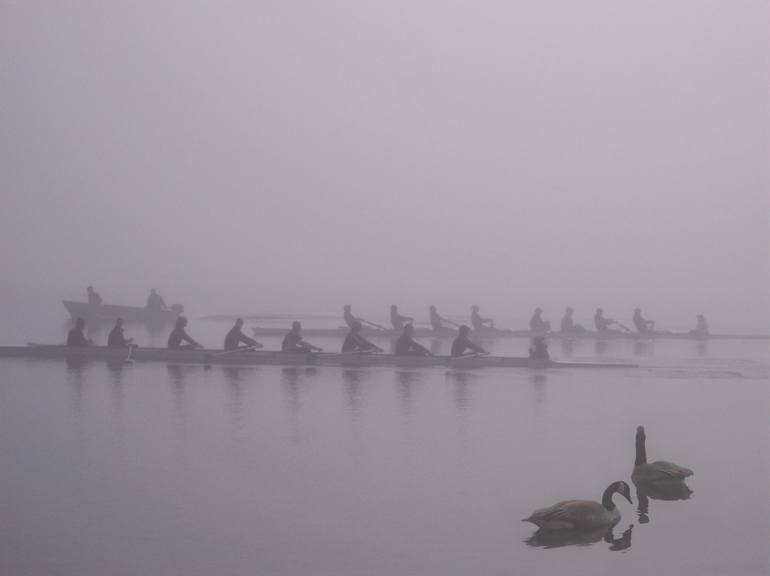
(581, 514)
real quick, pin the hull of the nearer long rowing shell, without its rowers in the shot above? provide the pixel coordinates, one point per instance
(258, 358)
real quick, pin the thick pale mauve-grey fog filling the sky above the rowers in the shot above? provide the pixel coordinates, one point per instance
(297, 156)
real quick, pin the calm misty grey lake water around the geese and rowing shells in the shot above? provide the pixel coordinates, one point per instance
(156, 469)
